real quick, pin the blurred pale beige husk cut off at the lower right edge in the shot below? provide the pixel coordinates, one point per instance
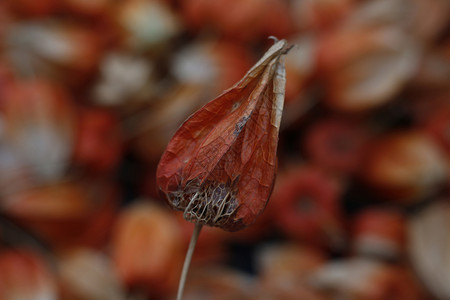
(429, 247)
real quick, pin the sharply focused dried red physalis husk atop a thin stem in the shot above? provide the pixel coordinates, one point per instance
(219, 167)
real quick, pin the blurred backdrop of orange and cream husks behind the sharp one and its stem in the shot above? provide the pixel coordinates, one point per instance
(92, 91)
